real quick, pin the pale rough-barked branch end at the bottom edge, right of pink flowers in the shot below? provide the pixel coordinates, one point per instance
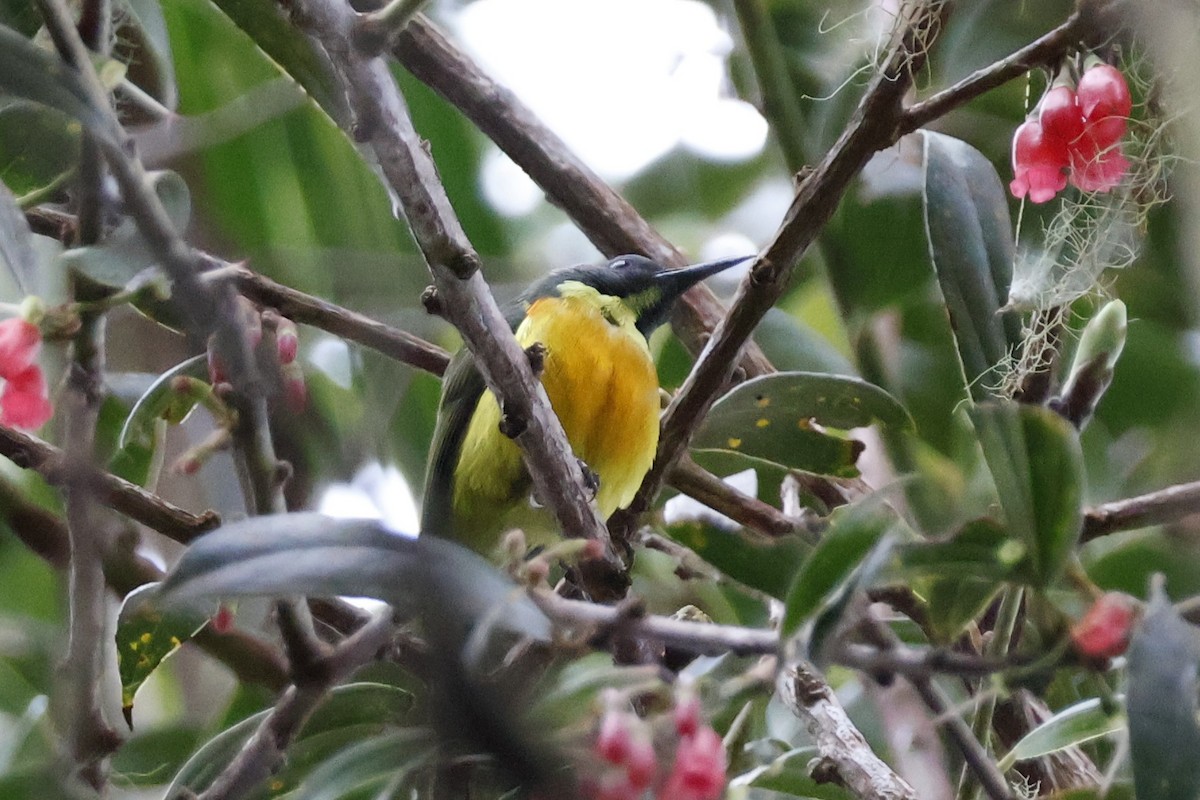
(839, 743)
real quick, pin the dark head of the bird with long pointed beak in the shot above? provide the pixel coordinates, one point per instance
(643, 288)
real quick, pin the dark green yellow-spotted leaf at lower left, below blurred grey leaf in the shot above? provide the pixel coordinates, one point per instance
(148, 633)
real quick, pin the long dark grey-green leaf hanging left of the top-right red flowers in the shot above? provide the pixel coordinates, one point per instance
(971, 244)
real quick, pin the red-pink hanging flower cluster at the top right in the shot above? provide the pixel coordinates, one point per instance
(1076, 137)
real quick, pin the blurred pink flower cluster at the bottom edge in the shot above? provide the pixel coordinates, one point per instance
(627, 745)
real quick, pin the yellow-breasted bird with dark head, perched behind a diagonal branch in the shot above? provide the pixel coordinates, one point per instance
(602, 382)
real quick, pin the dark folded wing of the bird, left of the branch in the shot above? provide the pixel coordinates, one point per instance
(461, 390)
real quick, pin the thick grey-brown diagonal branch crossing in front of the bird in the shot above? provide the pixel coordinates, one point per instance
(383, 123)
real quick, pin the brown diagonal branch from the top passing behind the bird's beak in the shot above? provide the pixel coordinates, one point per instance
(605, 218)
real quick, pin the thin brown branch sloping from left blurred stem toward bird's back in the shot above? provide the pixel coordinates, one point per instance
(301, 308)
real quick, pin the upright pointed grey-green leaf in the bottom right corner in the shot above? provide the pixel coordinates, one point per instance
(1165, 733)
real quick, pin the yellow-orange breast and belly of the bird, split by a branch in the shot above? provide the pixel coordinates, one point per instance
(604, 388)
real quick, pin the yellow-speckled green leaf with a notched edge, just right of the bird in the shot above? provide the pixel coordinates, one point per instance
(771, 419)
